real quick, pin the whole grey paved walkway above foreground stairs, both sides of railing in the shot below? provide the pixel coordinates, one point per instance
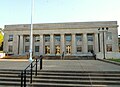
(69, 65)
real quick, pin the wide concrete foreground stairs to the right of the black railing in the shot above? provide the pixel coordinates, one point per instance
(76, 79)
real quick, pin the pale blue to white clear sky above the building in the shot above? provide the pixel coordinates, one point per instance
(57, 11)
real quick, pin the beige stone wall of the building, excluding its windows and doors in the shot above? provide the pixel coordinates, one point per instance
(19, 31)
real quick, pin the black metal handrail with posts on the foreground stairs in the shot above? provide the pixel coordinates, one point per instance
(29, 71)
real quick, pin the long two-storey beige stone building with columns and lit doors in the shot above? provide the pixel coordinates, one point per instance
(72, 38)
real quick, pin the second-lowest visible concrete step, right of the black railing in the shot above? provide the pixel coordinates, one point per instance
(76, 81)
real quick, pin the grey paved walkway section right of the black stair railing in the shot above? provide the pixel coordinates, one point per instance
(79, 65)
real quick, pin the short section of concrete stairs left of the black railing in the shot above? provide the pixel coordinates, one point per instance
(9, 78)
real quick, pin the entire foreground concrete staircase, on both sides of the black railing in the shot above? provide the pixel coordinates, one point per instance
(47, 78)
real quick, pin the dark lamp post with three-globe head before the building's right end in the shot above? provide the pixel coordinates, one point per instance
(103, 30)
